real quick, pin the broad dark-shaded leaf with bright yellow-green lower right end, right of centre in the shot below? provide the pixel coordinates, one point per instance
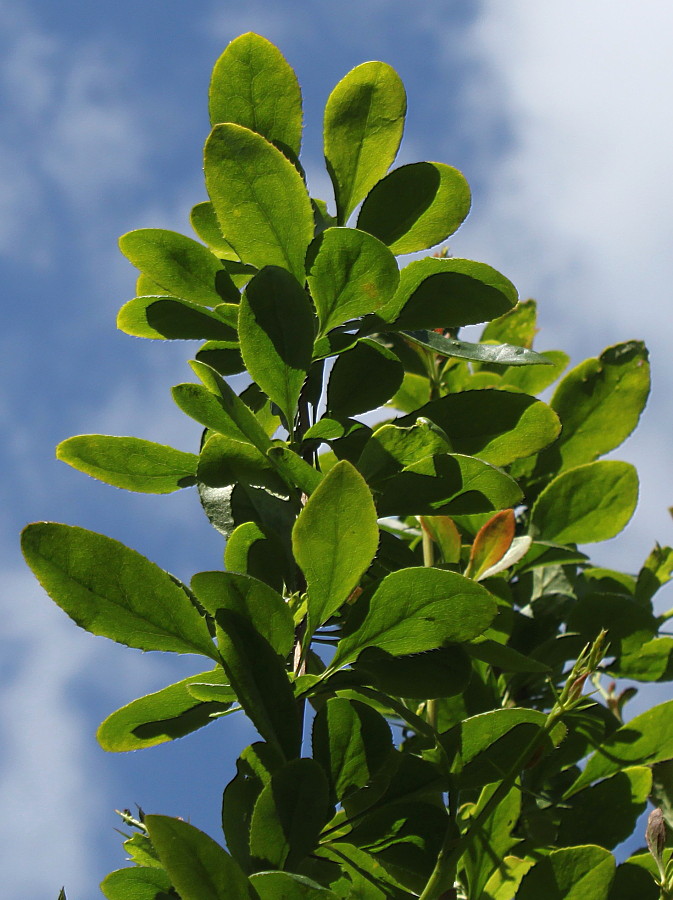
(497, 426)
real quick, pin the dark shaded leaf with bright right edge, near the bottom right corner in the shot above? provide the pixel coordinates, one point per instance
(605, 813)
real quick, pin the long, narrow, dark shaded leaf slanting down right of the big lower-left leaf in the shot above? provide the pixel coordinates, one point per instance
(260, 680)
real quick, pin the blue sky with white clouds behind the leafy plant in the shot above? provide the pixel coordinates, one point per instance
(559, 116)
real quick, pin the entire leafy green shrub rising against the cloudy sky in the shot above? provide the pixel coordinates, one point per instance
(417, 583)
